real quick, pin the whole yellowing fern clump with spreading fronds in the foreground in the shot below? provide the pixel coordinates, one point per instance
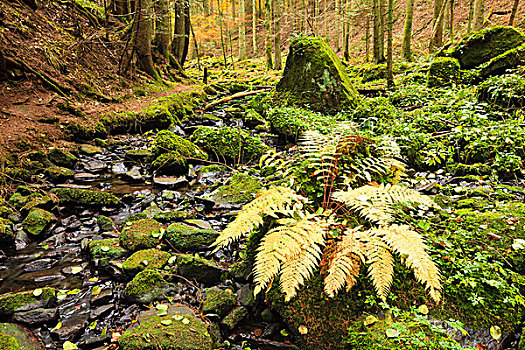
(355, 218)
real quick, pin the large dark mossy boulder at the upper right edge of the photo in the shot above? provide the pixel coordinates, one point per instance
(481, 46)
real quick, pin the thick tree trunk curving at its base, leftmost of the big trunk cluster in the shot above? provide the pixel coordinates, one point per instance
(142, 33)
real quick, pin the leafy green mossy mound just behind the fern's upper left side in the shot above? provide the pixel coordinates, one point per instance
(229, 144)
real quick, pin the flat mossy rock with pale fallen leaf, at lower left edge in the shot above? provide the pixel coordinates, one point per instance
(24, 301)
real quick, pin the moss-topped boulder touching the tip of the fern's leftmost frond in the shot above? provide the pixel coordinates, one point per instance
(183, 237)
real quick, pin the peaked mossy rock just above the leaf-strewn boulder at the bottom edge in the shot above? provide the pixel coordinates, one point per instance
(148, 285)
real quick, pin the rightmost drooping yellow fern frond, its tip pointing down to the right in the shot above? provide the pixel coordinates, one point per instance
(409, 244)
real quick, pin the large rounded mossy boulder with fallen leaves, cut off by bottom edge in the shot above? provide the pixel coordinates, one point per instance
(179, 329)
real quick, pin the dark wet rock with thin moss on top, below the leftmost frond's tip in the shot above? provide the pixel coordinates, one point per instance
(205, 271)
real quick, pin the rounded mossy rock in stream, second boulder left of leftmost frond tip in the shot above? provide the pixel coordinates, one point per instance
(141, 234)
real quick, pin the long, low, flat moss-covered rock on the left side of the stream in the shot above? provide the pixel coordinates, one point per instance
(85, 197)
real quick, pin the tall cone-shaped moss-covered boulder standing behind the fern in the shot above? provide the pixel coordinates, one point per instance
(314, 78)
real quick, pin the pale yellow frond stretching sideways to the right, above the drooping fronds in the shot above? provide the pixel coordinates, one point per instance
(376, 202)
